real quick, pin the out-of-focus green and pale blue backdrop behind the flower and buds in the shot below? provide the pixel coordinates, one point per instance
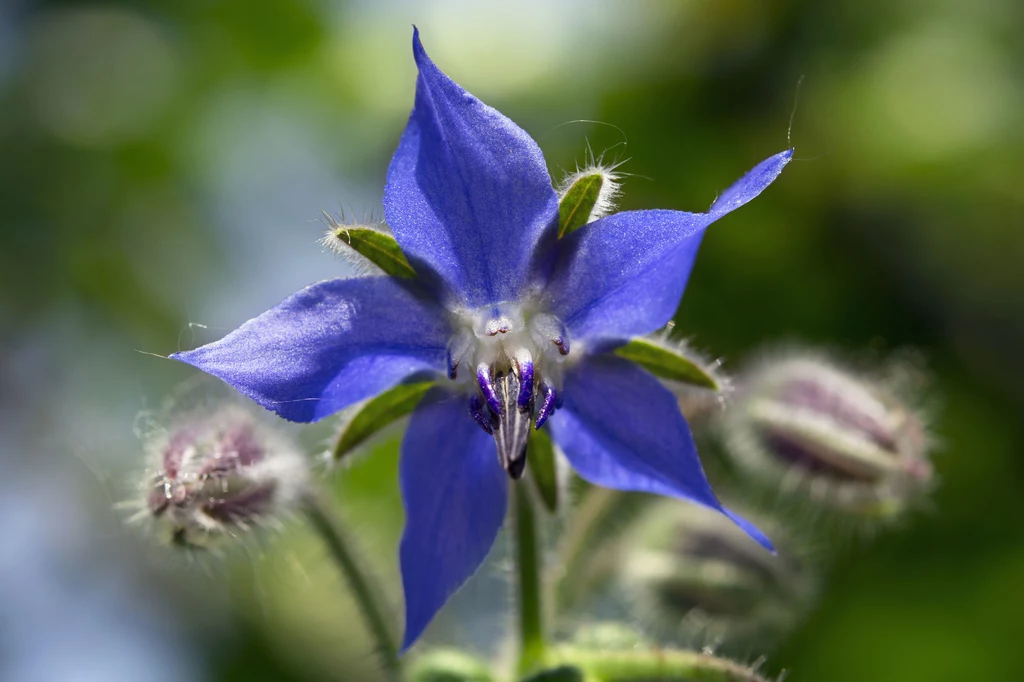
(163, 165)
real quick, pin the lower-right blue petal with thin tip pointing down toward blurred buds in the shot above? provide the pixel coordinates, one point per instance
(620, 429)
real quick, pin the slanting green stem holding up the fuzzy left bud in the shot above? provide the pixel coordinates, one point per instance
(367, 594)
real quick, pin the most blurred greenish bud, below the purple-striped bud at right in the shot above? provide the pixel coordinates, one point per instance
(694, 574)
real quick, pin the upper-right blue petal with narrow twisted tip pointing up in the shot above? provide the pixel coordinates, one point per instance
(623, 276)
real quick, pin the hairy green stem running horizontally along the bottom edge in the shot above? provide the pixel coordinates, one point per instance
(655, 666)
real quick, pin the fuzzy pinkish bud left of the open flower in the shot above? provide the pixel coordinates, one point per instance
(220, 473)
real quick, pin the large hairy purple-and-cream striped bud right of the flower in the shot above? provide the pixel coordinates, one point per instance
(802, 424)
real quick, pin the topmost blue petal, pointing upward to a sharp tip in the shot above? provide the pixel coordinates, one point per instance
(468, 193)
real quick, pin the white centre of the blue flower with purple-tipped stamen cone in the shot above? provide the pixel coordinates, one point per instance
(518, 361)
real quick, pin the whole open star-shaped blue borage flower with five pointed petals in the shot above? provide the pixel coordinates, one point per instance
(517, 323)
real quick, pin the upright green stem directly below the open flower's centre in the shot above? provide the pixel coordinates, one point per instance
(533, 652)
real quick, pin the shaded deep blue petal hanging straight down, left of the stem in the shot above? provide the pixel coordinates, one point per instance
(456, 496)
